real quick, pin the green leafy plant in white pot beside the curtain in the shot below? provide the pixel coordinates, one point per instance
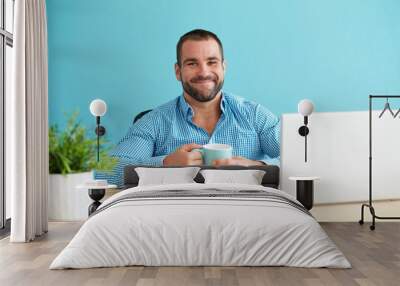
(72, 159)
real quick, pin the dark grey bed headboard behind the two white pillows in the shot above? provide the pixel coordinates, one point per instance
(270, 179)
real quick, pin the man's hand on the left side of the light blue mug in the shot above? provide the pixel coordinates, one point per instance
(183, 157)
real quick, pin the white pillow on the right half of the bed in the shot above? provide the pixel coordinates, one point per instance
(249, 177)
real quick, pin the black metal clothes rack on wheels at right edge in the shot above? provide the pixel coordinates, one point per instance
(369, 205)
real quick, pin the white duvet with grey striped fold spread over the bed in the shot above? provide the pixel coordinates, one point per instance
(200, 231)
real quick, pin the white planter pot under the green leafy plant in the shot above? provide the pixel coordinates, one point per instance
(66, 202)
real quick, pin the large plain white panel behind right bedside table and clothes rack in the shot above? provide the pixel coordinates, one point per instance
(338, 153)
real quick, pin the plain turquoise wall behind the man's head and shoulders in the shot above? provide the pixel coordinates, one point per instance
(278, 52)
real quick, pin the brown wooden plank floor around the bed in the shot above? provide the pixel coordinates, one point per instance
(374, 255)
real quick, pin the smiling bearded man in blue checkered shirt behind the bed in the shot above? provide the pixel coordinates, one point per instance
(203, 114)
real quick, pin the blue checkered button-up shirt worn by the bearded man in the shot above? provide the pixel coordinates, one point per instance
(251, 129)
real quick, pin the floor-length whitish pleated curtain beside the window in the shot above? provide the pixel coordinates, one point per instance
(28, 155)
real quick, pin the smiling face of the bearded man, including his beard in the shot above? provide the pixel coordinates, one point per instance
(202, 69)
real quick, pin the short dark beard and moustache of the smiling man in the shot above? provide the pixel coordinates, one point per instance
(199, 95)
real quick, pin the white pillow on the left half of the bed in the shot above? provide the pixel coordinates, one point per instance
(164, 176)
